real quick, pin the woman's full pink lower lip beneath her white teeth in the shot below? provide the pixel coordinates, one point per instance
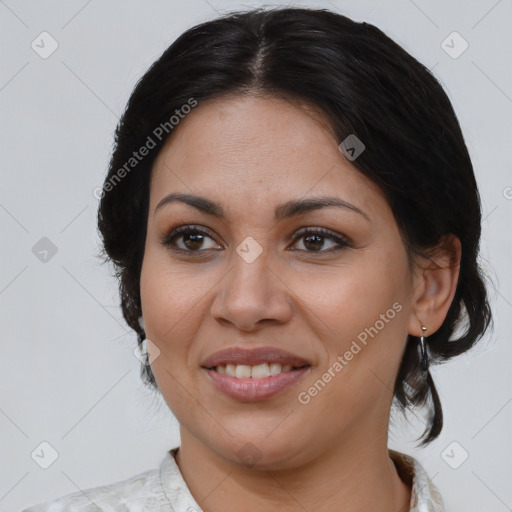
(252, 390)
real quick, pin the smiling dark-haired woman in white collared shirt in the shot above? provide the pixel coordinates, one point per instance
(295, 222)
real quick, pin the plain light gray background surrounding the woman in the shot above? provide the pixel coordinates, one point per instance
(68, 374)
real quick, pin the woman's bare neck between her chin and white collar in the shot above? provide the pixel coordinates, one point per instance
(355, 476)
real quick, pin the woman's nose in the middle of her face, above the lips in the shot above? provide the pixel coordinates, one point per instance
(251, 294)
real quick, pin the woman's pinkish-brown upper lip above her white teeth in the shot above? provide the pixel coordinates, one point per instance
(254, 356)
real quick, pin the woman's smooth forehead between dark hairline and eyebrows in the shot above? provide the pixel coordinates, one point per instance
(256, 147)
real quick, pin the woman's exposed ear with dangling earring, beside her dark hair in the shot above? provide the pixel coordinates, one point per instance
(434, 285)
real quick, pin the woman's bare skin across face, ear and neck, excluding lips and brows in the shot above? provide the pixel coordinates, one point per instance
(251, 154)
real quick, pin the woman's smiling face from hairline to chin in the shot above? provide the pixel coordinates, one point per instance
(339, 299)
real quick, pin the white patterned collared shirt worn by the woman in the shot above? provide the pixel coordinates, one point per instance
(164, 490)
